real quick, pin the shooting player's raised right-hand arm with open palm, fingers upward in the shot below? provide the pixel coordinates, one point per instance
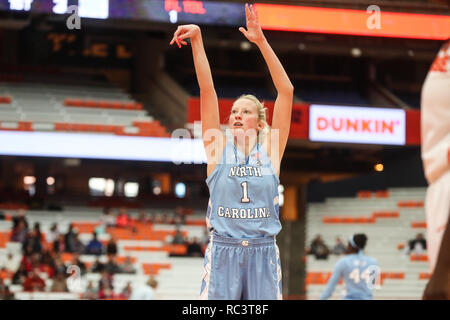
(281, 119)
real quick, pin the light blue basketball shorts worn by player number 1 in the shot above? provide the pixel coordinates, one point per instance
(241, 269)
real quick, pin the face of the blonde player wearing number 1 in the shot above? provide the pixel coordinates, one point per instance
(244, 117)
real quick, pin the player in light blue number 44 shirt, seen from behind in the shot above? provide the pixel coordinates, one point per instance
(360, 272)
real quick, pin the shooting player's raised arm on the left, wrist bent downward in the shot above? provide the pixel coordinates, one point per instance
(209, 104)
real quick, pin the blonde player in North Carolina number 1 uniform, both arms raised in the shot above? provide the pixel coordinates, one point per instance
(242, 259)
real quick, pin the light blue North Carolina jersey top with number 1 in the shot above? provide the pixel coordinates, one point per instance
(243, 195)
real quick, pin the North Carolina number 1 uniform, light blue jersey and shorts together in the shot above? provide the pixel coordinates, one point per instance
(242, 260)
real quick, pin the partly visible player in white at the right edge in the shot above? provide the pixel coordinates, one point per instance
(435, 136)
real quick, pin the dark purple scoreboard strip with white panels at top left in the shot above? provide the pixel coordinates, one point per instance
(164, 11)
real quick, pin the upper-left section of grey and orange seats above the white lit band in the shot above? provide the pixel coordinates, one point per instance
(92, 107)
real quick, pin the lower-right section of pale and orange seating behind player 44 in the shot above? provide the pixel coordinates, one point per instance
(387, 221)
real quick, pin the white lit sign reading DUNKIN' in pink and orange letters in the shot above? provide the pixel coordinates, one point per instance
(357, 125)
